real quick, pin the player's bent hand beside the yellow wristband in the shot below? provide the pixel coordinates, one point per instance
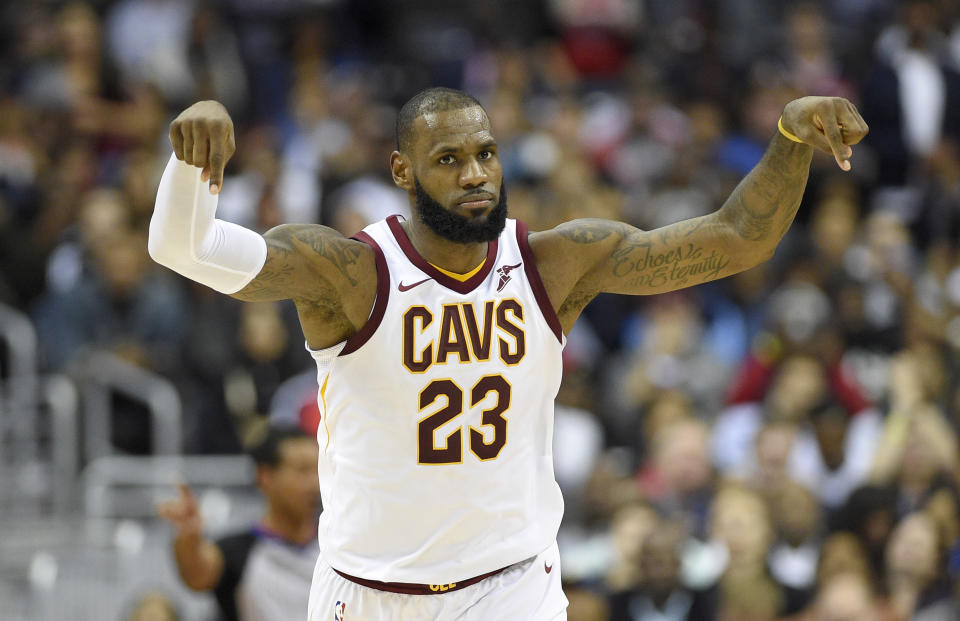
(830, 124)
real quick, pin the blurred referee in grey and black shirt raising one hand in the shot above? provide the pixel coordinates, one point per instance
(262, 573)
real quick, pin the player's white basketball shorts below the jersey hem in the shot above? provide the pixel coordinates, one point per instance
(528, 590)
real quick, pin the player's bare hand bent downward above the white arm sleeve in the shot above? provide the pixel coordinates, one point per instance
(202, 136)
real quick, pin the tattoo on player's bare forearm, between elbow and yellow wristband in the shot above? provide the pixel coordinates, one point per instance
(763, 205)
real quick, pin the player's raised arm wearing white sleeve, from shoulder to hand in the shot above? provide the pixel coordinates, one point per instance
(332, 280)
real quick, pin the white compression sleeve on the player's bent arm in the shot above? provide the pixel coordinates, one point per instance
(185, 237)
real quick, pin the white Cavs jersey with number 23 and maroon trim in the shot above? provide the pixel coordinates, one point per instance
(437, 416)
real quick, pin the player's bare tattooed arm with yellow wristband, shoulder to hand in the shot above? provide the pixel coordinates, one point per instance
(582, 258)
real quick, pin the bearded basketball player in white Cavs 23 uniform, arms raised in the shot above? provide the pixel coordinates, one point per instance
(438, 340)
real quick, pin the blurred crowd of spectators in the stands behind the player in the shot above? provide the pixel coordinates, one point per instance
(781, 444)
